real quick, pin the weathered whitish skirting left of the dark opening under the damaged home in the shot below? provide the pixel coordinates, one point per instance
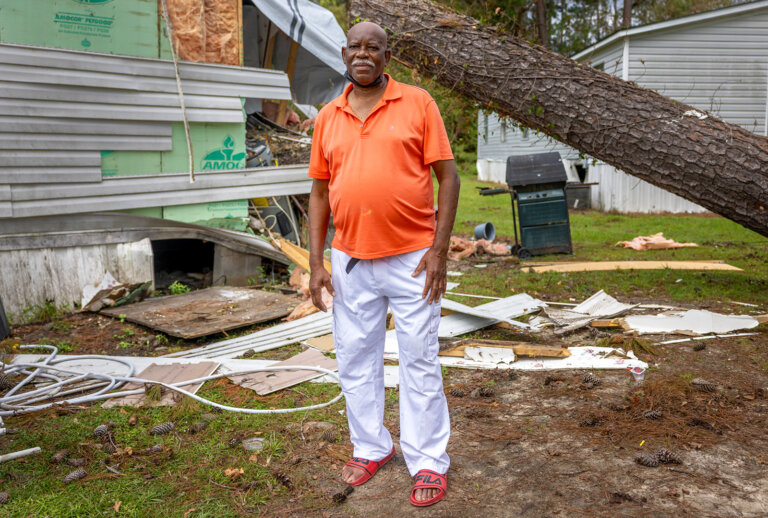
(67, 270)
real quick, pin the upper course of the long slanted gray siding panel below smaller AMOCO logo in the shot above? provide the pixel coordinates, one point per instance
(162, 184)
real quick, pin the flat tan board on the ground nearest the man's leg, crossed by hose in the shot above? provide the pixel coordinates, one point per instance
(267, 382)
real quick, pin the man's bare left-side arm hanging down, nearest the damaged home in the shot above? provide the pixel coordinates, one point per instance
(319, 216)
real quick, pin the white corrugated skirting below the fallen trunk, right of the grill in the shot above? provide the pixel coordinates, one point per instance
(620, 192)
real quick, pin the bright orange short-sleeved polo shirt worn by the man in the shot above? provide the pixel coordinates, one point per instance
(380, 186)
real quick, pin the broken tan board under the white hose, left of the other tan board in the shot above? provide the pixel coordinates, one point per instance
(170, 374)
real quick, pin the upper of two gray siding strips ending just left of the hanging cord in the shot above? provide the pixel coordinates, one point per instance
(84, 126)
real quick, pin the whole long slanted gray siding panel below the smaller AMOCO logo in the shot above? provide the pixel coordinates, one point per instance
(121, 193)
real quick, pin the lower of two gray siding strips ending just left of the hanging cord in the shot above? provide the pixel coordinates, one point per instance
(51, 141)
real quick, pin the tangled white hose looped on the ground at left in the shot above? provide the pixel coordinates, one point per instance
(13, 404)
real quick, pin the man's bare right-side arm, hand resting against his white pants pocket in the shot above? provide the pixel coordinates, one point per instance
(434, 261)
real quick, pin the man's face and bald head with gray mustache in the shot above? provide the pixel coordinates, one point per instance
(366, 53)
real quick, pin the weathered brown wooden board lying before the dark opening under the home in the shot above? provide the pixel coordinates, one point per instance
(208, 311)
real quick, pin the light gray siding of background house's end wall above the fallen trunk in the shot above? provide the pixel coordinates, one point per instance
(718, 65)
